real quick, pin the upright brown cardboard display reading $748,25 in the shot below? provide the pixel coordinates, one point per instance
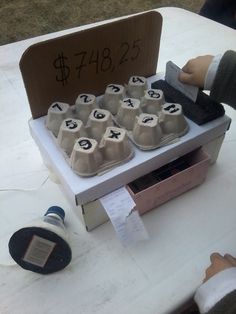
(86, 61)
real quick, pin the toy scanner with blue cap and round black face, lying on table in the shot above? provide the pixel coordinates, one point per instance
(43, 245)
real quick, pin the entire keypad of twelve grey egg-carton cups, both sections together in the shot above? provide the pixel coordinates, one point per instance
(93, 134)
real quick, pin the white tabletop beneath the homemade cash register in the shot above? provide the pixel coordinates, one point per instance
(154, 276)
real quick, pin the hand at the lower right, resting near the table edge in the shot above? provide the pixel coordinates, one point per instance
(219, 263)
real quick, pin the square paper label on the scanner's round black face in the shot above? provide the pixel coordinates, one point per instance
(38, 251)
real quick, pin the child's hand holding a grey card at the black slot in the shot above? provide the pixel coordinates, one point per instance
(194, 71)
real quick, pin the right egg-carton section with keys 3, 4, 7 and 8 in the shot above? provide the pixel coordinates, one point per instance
(149, 121)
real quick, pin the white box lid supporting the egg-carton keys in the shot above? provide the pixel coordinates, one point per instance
(81, 190)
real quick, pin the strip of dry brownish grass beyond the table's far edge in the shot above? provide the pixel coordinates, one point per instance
(21, 19)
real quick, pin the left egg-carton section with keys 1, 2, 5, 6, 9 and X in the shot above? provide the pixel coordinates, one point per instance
(88, 138)
